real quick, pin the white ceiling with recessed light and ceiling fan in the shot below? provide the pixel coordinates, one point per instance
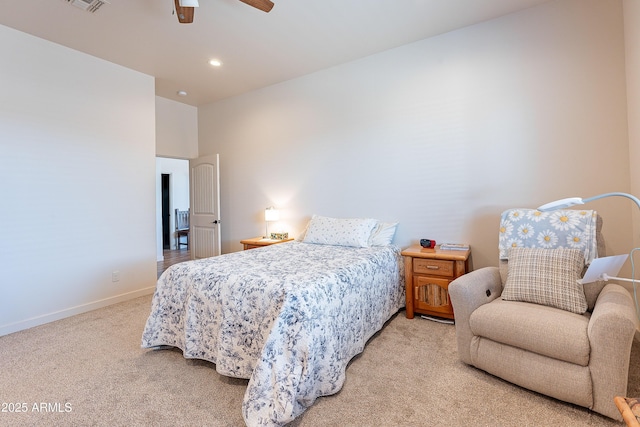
(257, 49)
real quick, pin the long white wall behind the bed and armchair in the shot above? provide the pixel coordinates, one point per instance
(441, 135)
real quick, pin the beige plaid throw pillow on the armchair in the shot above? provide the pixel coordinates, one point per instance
(547, 277)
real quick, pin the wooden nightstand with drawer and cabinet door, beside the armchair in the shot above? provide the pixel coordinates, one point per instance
(428, 273)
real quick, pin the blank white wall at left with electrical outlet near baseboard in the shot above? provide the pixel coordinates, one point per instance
(77, 179)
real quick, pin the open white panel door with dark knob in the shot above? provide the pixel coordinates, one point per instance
(204, 238)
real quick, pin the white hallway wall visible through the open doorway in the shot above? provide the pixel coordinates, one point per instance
(178, 170)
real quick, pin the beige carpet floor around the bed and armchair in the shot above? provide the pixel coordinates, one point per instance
(89, 370)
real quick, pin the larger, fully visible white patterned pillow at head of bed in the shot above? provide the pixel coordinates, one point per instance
(340, 231)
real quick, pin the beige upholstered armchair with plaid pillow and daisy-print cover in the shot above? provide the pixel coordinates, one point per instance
(581, 358)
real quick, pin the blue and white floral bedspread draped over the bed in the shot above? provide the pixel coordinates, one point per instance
(288, 317)
